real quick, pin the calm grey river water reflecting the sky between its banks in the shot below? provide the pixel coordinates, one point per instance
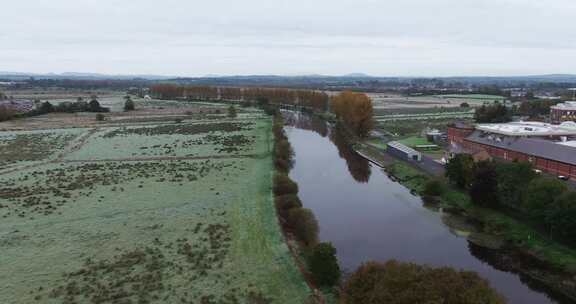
(367, 216)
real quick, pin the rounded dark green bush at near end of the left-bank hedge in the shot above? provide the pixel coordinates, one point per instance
(324, 265)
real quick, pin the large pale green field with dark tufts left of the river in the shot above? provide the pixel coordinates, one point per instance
(158, 213)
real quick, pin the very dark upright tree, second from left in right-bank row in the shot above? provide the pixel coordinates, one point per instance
(484, 188)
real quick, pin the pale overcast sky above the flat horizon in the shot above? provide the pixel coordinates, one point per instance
(232, 37)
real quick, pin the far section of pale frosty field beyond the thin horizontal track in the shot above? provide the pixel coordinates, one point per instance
(204, 139)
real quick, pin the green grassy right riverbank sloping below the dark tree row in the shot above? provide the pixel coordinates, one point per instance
(517, 247)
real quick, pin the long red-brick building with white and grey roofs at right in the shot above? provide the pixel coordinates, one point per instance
(550, 148)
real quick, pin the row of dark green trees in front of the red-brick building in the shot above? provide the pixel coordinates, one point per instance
(545, 202)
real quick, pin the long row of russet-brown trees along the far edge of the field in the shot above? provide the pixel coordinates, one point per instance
(307, 98)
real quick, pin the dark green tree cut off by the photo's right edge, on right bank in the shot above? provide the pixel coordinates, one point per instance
(561, 220)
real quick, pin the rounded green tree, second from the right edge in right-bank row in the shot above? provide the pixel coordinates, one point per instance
(540, 194)
